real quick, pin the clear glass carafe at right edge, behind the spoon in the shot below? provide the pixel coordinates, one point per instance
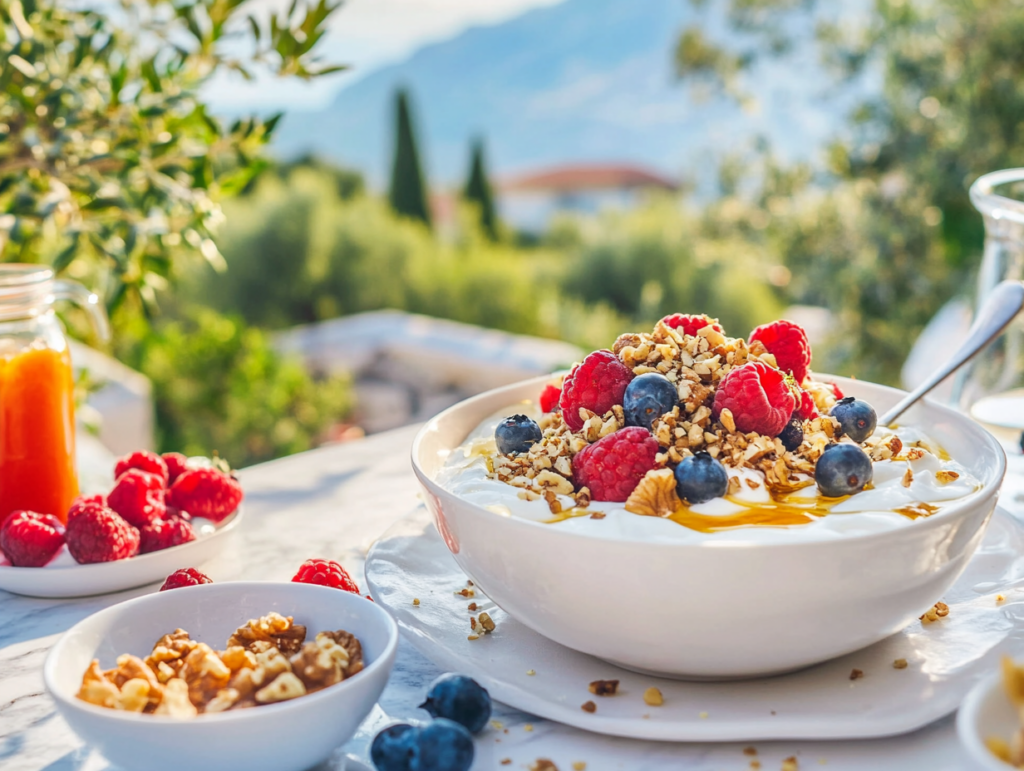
(993, 390)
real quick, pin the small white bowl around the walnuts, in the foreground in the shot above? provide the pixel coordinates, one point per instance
(286, 737)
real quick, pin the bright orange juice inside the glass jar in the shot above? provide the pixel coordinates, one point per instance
(37, 433)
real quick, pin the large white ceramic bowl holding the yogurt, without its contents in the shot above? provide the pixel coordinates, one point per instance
(714, 609)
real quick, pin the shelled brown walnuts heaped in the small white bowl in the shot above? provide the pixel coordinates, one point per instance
(267, 661)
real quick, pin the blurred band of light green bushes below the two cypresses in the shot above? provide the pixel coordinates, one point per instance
(302, 253)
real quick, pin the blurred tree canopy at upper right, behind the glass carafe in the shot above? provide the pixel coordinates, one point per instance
(895, 235)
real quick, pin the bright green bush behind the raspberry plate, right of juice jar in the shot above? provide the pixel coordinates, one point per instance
(221, 387)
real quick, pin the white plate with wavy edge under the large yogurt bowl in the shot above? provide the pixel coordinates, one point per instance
(946, 659)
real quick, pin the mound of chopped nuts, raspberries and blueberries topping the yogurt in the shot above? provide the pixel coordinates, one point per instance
(669, 417)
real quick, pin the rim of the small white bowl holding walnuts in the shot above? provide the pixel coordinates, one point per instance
(50, 666)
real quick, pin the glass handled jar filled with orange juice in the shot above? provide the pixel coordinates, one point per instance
(37, 402)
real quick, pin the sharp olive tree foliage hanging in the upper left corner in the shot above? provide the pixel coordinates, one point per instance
(112, 168)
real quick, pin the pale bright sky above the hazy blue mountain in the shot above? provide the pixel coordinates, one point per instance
(366, 34)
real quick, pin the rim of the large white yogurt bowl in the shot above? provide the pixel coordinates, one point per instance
(953, 510)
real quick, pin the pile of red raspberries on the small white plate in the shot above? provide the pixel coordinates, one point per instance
(151, 508)
